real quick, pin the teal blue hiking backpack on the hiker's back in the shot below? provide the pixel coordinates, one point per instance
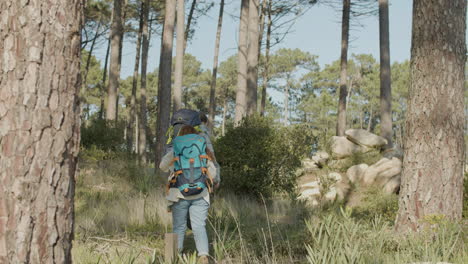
(190, 165)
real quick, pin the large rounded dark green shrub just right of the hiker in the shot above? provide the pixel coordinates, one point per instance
(259, 158)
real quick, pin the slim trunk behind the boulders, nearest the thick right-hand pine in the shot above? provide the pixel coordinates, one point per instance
(386, 129)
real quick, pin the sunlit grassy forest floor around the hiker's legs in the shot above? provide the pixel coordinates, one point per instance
(121, 217)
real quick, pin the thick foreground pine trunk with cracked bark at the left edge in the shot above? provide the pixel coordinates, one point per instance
(39, 128)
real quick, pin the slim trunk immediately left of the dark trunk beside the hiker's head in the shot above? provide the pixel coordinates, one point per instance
(142, 121)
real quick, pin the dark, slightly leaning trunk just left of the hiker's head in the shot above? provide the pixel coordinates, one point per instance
(164, 82)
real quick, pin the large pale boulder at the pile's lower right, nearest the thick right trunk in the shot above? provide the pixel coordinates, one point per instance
(381, 171)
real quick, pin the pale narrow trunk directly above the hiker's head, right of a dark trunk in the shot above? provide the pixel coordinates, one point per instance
(179, 67)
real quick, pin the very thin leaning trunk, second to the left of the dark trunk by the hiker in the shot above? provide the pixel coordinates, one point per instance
(132, 112)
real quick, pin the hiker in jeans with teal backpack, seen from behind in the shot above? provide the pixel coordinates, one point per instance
(188, 192)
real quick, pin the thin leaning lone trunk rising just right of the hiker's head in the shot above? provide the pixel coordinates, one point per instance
(212, 106)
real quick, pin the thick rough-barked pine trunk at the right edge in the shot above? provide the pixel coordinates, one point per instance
(432, 176)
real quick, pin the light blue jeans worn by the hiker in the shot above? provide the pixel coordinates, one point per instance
(198, 210)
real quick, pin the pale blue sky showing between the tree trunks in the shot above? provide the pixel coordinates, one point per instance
(318, 32)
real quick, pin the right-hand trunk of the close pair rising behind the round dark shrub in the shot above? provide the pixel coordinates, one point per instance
(252, 60)
